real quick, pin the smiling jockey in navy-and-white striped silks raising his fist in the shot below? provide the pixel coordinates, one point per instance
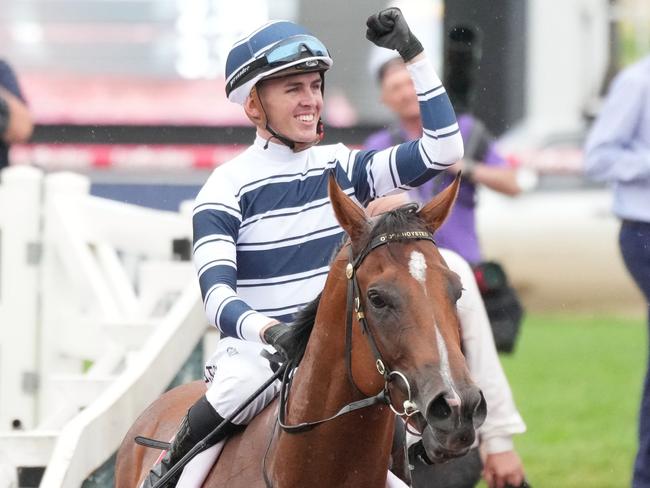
(264, 228)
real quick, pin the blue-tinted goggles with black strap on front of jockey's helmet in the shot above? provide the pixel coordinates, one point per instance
(283, 53)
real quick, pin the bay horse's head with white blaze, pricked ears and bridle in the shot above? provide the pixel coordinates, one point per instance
(407, 300)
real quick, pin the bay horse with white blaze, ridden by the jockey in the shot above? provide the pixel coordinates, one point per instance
(385, 326)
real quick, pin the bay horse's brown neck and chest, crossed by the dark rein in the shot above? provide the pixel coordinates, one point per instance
(356, 444)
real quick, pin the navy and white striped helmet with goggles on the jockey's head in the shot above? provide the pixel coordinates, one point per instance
(274, 47)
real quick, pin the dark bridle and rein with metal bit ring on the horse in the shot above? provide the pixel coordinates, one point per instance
(354, 306)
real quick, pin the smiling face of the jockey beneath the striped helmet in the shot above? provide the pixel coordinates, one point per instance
(293, 105)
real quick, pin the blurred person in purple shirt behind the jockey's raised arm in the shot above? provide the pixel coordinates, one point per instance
(482, 164)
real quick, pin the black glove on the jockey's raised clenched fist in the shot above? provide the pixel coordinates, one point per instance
(389, 29)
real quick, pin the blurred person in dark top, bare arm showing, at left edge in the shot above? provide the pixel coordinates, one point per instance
(15, 119)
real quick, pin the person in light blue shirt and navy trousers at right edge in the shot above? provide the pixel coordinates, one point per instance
(618, 152)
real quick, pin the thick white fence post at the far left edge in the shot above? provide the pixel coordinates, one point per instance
(20, 203)
